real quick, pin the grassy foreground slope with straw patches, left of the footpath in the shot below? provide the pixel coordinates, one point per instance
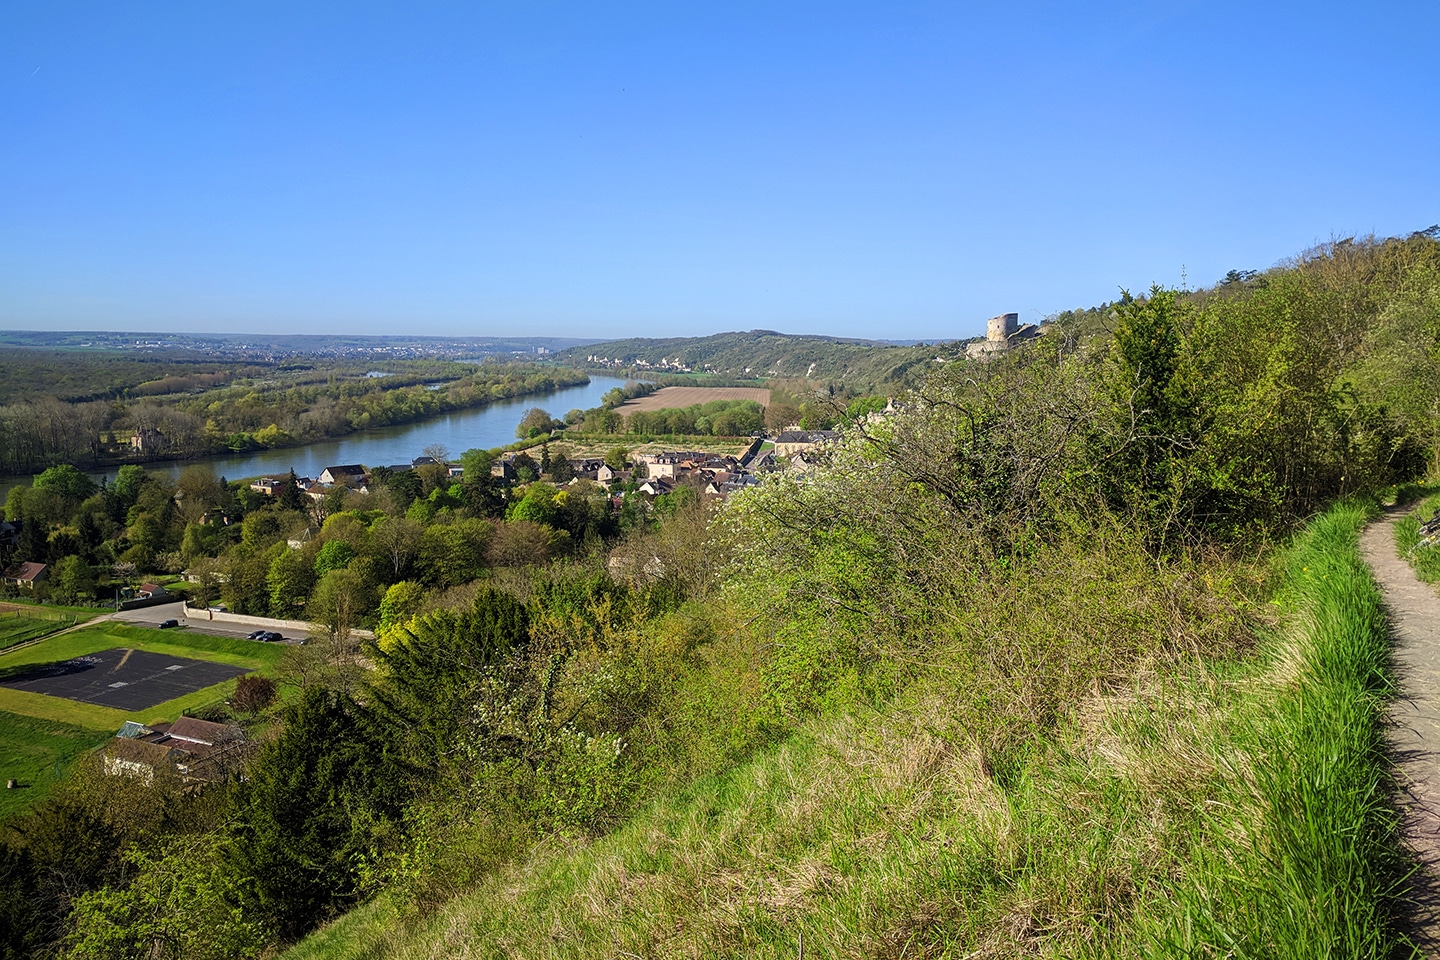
(1235, 808)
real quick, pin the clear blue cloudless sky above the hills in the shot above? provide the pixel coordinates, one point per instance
(898, 171)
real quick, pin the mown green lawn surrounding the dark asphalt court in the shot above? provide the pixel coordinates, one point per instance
(41, 736)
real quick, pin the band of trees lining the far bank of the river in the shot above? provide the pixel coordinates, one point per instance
(257, 415)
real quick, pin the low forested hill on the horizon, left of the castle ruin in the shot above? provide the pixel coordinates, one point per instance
(765, 353)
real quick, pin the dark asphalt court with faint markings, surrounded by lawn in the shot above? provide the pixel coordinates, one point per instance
(122, 679)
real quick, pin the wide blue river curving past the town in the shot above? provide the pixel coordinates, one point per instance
(483, 428)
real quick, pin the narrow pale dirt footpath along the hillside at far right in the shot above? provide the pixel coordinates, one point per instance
(1415, 736)
